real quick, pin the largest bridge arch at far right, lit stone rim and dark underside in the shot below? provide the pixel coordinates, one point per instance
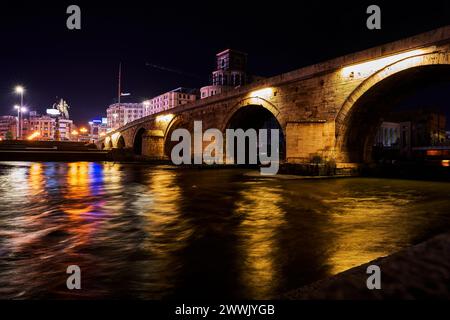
(362, 112)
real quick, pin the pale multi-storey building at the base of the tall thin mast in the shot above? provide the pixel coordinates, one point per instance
(119, 114)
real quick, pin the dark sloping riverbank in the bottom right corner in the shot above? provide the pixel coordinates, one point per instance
(419, 272)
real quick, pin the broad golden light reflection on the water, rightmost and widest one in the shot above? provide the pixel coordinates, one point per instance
(363, 228)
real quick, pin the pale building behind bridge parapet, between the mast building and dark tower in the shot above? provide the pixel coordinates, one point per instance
(169, 100)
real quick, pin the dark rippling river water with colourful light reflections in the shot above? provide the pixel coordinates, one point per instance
(154, 232)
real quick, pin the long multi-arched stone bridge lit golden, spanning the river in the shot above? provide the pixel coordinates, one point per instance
(329, 110)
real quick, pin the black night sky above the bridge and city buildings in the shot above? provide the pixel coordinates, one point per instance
(51, 61)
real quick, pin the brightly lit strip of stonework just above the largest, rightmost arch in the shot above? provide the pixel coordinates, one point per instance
(372, 66)
